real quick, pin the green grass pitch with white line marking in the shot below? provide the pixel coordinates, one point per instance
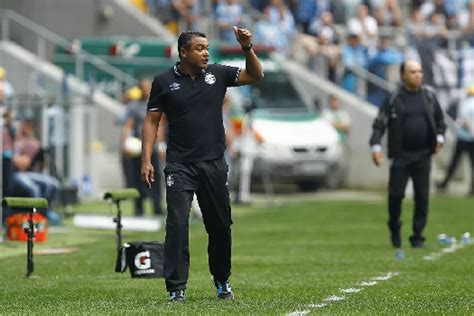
(284, 259)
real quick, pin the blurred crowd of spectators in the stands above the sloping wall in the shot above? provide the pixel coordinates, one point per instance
(333, 39)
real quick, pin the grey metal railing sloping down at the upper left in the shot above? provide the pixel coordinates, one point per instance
(44, 36)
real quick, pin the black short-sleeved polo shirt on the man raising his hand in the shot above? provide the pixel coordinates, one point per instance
(193, 109)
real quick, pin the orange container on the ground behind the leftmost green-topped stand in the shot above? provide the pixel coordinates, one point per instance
(17, 223)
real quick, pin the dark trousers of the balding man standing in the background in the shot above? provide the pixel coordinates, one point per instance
(417, 167)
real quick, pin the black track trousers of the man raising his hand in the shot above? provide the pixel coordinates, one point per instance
(208, 179)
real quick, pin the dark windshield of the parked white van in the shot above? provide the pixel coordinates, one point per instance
(276, 93)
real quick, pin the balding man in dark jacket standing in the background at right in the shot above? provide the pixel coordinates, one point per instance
(415, 132)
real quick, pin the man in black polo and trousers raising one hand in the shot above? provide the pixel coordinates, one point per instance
(191, 95)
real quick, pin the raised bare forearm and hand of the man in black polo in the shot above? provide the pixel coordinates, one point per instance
(253, 71)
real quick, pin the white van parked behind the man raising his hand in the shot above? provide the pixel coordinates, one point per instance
(290, 141)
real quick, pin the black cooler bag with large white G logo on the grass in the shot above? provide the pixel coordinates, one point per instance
(144, 259)
